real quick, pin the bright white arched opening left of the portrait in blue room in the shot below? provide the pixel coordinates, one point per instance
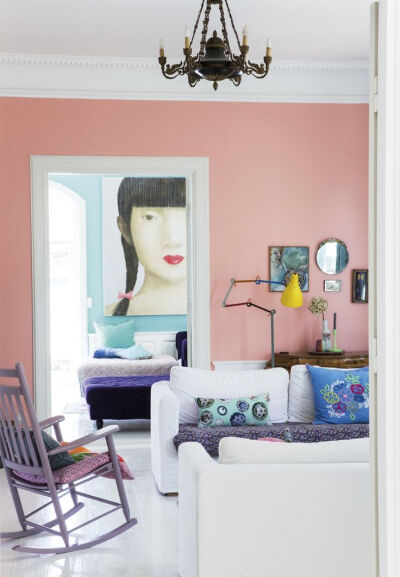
(68, 294)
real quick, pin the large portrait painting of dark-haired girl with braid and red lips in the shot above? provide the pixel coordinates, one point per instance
(144, 246)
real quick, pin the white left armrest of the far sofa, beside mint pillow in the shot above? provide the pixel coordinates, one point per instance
(164, 427)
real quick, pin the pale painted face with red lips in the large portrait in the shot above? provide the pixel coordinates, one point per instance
(159, 237)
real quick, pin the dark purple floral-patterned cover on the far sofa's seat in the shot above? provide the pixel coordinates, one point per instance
(299, 433)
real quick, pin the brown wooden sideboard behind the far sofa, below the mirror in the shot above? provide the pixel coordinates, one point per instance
(343, 361)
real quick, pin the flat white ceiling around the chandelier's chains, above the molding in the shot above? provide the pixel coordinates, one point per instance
(299, 29)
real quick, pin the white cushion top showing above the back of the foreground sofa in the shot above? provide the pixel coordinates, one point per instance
(245, 451)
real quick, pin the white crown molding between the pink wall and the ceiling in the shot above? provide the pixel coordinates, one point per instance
(53, 76)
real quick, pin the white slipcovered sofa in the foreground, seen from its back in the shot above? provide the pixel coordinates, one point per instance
(278, 509)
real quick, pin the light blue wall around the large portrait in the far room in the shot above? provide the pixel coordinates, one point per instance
(88, 186)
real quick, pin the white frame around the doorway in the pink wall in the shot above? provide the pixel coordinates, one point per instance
(195, 170)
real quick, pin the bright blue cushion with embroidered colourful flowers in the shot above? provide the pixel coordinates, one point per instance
(340, 395)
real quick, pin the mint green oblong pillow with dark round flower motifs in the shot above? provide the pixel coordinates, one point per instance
(233, 412)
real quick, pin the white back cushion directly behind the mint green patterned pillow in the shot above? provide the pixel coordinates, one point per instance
(188, 384)
